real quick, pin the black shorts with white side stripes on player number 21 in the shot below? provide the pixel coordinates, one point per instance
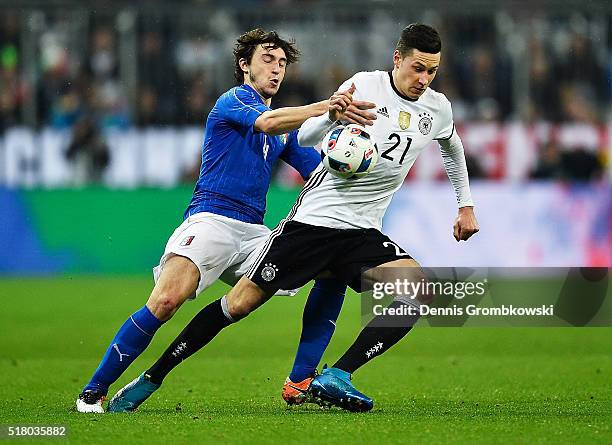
(296, 253)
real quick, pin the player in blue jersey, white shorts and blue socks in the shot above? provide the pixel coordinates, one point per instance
(223, 224)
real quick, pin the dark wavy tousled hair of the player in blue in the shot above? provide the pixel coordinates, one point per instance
(247, 42)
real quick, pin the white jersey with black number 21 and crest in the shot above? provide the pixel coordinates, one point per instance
(402, 130)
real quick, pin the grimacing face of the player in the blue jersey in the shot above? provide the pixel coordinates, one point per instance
(266, 71)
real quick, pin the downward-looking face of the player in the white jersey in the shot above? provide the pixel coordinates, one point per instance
(414, 72)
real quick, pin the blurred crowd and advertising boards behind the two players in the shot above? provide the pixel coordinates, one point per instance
(102, 110)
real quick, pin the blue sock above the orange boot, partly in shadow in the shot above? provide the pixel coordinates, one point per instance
(318, 325)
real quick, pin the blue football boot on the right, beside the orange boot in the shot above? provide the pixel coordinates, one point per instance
(333, 387)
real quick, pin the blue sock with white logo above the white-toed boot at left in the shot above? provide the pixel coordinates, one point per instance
(129, 342)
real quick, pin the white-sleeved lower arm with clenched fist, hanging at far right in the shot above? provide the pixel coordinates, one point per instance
(453, 156)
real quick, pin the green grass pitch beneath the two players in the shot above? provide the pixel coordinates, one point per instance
(439, 385)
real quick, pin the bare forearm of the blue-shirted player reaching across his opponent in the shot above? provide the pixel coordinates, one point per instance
(286, 119)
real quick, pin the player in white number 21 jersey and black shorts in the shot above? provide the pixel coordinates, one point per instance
(334, 226)
